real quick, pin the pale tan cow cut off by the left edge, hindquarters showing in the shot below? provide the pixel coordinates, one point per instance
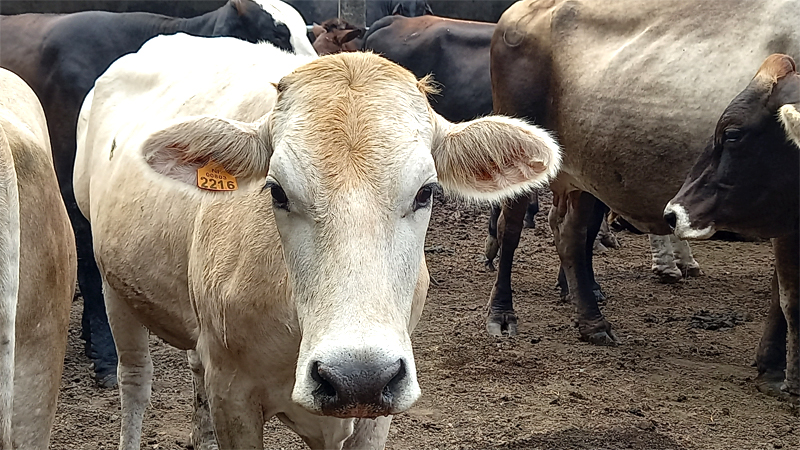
(37, 271)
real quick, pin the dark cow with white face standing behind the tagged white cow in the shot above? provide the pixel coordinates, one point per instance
(61, 56)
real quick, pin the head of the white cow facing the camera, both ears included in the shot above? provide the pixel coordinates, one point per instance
(352, 153)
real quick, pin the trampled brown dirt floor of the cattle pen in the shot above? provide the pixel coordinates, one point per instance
(673, 384)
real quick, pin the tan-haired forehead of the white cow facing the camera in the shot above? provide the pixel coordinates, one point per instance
(351, 119)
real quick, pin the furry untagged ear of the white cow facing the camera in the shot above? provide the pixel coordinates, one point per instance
(494, 157)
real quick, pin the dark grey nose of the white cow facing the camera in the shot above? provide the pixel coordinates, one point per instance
(357, 388)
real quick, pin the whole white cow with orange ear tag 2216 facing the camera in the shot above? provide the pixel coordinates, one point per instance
(299, 289)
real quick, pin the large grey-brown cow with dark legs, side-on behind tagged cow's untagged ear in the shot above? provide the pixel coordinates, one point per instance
(632, 88)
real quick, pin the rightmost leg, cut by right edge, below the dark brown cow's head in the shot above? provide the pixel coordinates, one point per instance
(787, 265)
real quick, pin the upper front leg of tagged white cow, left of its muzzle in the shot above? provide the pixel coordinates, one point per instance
(235, 409)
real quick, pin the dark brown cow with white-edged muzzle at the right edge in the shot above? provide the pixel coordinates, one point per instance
(748, 181)
